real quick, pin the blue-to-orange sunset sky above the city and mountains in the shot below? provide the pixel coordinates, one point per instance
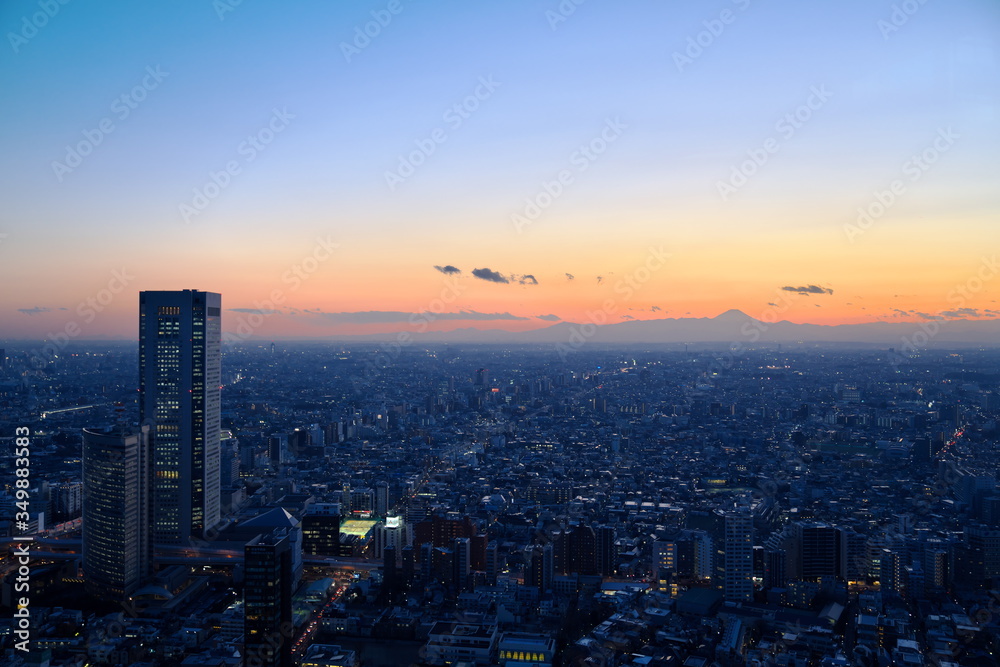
(679, 158)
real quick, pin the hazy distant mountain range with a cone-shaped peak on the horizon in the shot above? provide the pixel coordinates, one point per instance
(732, 326)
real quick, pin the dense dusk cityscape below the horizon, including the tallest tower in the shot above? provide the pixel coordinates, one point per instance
(365, 504)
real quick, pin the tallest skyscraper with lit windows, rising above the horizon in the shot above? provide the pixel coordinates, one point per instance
(179, 393)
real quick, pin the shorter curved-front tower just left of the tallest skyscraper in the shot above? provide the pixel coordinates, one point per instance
(116, 546)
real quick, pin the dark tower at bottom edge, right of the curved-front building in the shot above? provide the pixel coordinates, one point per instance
(267, 600)
